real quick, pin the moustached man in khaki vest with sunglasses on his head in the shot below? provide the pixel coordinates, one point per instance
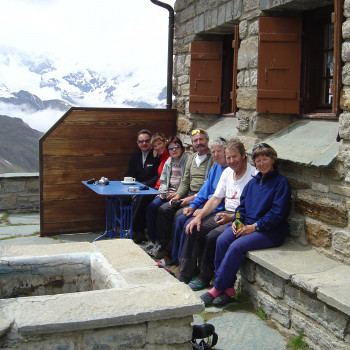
(196, 172)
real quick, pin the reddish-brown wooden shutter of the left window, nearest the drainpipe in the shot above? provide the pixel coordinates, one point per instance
(205, 78)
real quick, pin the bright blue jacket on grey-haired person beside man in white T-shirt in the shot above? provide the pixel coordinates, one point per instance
(208, 188)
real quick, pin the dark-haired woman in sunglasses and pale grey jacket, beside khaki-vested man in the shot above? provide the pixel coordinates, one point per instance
(170, 179)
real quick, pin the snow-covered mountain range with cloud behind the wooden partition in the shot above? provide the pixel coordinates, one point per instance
(34, 85)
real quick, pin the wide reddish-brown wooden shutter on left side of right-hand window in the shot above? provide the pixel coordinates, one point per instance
(279, 65)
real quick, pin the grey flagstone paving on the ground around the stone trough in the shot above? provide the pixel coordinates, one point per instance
(236, 325)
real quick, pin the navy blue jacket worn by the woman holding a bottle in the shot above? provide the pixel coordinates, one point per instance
(265, 201)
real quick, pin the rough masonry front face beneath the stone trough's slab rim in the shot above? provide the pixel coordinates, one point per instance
(162, 335)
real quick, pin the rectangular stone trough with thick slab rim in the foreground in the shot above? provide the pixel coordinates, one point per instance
(138, 305)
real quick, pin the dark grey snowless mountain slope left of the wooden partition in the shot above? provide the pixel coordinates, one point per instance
(19, 146)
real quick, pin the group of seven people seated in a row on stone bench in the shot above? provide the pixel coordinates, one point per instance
(191, 223)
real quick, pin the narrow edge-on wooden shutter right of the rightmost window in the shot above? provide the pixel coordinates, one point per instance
(337, 19)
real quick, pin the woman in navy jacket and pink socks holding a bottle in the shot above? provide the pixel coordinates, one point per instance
(264, 209)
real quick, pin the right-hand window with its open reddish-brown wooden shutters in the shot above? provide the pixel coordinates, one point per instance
(299, 68)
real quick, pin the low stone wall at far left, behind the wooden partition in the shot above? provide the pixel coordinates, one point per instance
(19, 192)
